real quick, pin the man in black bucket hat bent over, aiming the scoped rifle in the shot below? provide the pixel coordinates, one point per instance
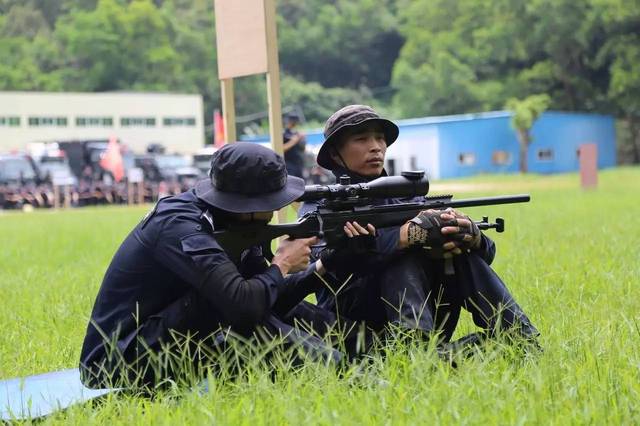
(170, 278)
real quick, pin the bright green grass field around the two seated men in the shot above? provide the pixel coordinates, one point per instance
(570, 257)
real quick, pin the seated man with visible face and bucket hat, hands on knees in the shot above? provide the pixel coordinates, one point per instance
(402, 283)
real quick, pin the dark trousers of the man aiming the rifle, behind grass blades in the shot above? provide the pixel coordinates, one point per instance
(187, 336)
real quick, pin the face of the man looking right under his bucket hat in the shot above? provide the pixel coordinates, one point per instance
(363, 150)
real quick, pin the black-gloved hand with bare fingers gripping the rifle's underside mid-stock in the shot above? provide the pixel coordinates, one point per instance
(349, 256)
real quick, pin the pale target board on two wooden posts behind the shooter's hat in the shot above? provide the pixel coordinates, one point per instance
(247, 44)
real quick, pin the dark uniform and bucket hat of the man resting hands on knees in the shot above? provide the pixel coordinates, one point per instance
(407, 287)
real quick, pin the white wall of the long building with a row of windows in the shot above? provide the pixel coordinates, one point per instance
(114, 105)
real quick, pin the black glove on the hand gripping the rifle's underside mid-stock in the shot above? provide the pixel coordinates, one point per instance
(351, 255)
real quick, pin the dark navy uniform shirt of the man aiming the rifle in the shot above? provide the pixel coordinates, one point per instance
(172, 252)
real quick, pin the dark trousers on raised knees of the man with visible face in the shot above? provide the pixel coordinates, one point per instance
(414, 292)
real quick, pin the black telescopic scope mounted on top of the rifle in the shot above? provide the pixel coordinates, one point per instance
(409, 184)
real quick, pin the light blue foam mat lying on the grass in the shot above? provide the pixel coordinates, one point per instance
(41, 395)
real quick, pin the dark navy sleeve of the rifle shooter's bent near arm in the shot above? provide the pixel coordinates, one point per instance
(196, 257)
